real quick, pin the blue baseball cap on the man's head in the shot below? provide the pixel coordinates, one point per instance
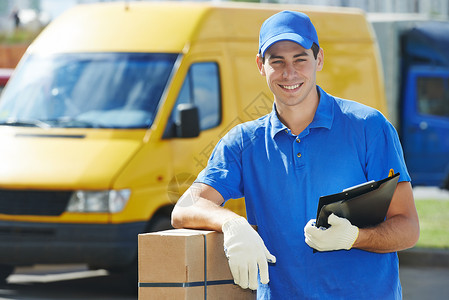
(287, 26)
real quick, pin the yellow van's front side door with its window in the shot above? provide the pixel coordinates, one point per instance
(201, 87)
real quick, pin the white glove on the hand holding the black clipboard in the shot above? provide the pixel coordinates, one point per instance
(340, 235)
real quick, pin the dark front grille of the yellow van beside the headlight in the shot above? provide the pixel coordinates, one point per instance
(33, 202)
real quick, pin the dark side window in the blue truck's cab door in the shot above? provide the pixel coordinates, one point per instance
(433, 96)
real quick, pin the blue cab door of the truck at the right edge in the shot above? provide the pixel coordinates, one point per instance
(425, 128)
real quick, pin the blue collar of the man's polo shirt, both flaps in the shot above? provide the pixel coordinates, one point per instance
(324, 115)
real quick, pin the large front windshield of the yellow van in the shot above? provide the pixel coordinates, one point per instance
(88, 90)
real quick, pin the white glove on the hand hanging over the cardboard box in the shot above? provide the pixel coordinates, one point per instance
(246, 253)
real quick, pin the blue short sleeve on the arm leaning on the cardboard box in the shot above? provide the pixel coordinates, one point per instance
(224, 168)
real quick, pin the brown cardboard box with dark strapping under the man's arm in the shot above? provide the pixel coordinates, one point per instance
(186, 264)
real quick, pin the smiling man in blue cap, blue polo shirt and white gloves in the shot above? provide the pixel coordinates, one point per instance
(310, 145)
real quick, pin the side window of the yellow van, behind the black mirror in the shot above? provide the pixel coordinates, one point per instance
(201, 87)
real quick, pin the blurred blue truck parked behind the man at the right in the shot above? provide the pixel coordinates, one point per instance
(415, 58)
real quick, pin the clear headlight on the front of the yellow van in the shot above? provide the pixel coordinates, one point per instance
(111, 201)
